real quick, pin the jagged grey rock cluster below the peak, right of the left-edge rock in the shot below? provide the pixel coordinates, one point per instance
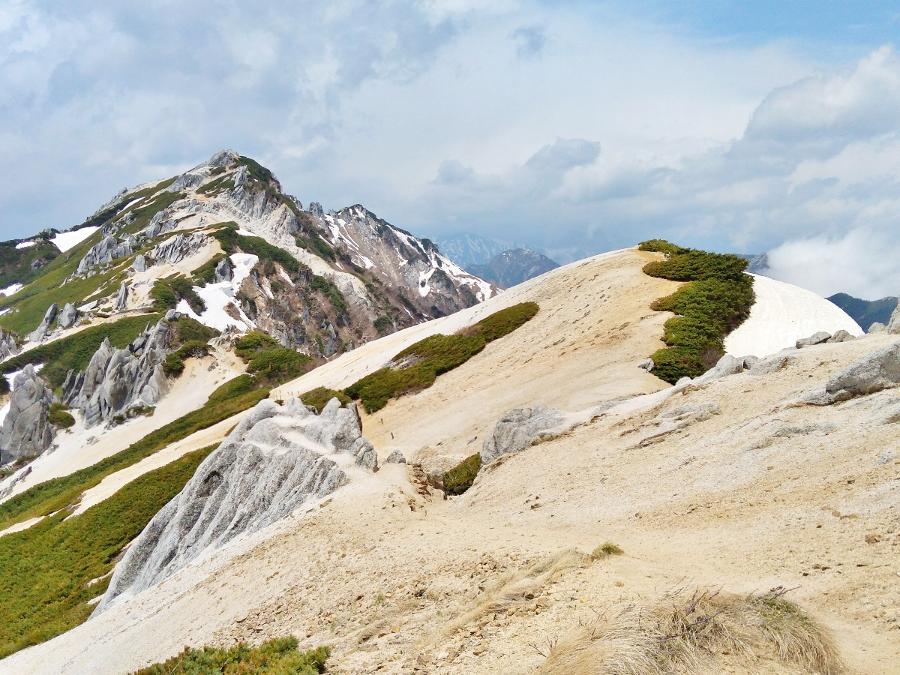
(117, 380)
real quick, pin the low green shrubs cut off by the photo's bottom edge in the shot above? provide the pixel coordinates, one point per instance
(276, 657)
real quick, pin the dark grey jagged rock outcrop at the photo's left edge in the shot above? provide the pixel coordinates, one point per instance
(26, 431)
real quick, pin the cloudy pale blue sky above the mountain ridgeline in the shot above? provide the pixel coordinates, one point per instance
(576, 127)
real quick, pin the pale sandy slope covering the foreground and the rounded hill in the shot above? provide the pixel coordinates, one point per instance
(758, 494)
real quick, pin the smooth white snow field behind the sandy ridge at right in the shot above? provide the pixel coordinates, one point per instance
(782, 314)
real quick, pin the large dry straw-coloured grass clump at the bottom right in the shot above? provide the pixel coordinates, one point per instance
(695, 633)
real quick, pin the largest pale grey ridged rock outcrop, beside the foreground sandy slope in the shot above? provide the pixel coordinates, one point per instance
(275, 459)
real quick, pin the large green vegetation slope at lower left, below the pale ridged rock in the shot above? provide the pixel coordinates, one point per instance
(47, 569)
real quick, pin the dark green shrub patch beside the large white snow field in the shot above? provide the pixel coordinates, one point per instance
(715, 300)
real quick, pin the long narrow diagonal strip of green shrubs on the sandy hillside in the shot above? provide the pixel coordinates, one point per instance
(417, 366)
